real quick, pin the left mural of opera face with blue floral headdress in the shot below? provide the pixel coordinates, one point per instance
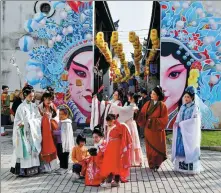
(65, 62)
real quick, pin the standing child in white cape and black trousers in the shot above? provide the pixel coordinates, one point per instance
(64, 139)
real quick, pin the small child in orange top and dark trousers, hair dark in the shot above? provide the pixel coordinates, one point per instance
(79, 154)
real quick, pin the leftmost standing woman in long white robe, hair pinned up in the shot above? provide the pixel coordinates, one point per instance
(26, 136)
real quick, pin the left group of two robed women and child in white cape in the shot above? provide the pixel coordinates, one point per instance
(40, 135)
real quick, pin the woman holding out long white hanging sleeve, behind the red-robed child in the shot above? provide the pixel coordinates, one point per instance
(102, 109)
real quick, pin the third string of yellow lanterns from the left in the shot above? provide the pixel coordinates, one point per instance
(134, 39)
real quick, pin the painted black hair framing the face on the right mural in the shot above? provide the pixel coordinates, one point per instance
(169, 48)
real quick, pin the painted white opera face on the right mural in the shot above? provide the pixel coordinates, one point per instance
(173, 76)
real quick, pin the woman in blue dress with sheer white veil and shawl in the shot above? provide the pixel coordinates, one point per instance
(187, 135)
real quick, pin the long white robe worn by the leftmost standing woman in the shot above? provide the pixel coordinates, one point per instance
(29, 116)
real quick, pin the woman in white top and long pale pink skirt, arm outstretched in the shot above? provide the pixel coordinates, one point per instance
(126, 115)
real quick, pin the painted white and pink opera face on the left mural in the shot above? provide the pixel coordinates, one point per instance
(80, 77)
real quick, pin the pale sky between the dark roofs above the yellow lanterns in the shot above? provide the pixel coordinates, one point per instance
(133, 15)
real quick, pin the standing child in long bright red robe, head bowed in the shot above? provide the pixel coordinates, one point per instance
(116, 163)
